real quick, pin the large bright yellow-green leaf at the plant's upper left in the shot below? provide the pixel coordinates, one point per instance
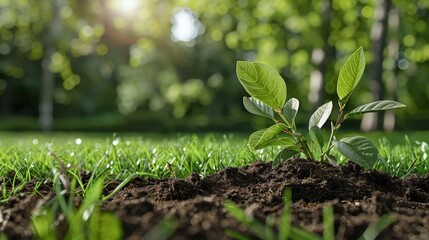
(263, 83)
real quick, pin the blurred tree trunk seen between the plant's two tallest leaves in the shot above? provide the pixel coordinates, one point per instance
(321, 58)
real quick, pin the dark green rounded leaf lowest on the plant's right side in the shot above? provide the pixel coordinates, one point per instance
(359, 150)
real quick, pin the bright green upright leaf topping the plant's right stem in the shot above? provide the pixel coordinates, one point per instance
(350, 75)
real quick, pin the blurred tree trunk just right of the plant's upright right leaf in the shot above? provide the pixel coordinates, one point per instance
(371, 121)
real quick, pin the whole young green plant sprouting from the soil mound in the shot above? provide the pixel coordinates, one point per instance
(268, 93)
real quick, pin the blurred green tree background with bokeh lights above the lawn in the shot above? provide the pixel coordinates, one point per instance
(167, 65)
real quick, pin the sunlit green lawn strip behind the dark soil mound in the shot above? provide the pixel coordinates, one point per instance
(35, 156)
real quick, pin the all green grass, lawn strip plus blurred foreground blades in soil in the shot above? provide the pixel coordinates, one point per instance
(60, 159)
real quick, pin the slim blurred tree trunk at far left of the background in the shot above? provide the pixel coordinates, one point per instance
(46, 101)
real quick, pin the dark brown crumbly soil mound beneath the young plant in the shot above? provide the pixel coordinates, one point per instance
(358, 197)
